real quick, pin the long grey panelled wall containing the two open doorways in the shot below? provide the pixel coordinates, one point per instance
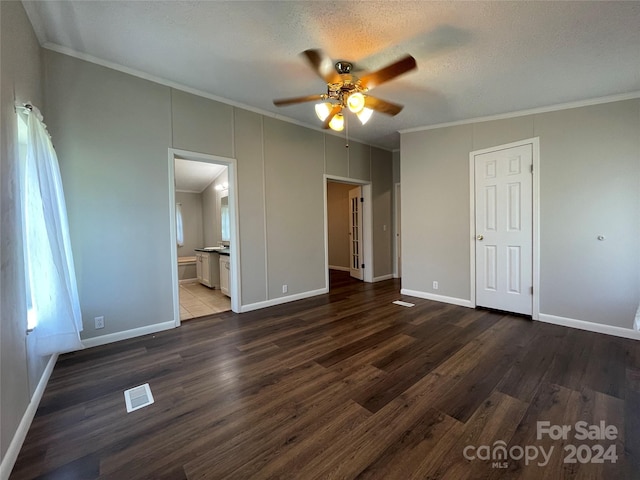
(280, 169)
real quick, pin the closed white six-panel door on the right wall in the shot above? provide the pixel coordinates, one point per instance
(504, 229)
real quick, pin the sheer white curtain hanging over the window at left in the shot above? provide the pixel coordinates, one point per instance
(49, 261)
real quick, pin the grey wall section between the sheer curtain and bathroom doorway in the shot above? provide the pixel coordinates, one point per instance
(112, 133)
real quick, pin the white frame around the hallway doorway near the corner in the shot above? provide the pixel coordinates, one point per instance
(367, 225)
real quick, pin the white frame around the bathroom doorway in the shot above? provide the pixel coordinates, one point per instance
(234, 244)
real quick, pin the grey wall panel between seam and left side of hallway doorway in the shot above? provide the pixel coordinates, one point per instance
(294, 198)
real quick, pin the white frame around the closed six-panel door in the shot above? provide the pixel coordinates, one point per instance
(535, 245)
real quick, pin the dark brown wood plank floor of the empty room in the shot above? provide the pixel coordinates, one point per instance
(345, 385)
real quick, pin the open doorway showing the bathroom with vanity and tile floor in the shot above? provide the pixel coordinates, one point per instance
(203, 235)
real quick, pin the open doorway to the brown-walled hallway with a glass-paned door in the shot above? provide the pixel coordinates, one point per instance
(348, 238)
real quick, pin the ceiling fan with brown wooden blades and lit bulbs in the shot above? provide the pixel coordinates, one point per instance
(345, 90)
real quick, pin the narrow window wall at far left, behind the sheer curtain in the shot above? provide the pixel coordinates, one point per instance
(20, 368)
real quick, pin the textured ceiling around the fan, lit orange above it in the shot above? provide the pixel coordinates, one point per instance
(474, 59)
